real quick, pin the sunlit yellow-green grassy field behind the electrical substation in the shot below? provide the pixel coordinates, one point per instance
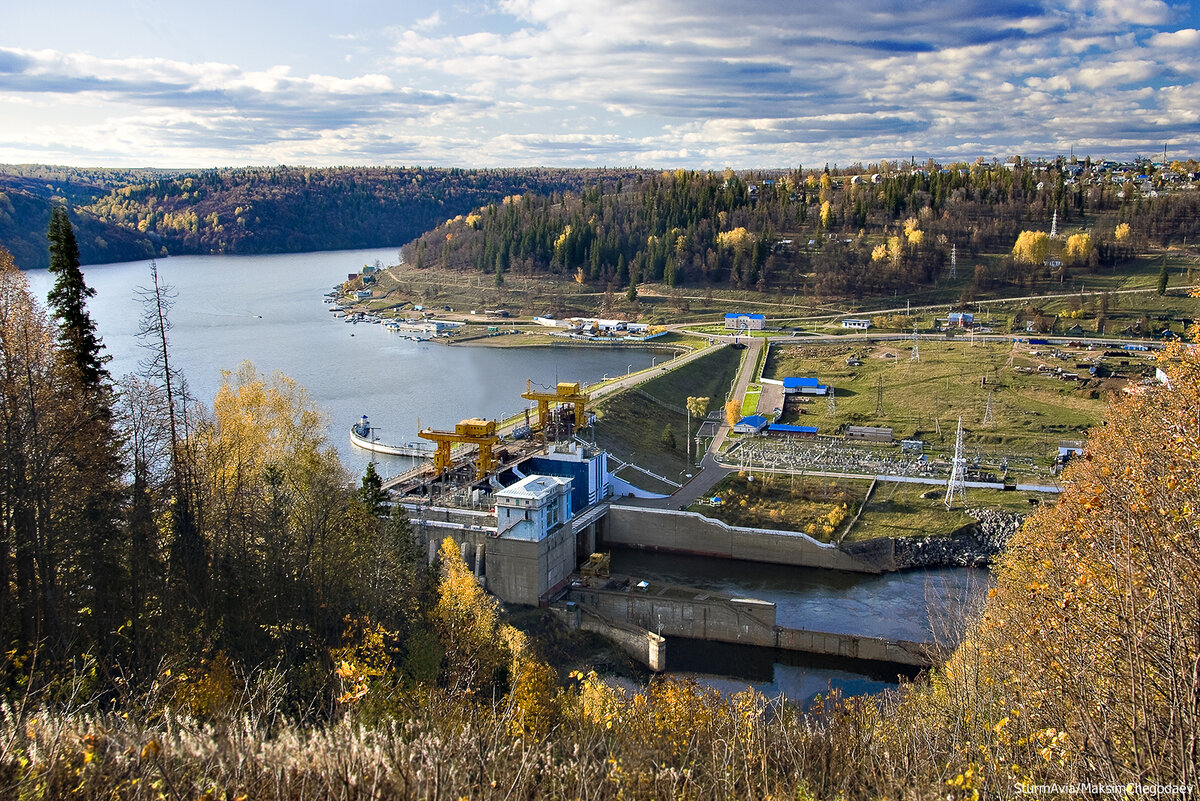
(1030, 412)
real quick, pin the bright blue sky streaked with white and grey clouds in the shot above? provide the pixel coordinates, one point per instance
(575, 83)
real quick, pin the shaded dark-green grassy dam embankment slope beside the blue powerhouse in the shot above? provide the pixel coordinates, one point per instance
(632, 425)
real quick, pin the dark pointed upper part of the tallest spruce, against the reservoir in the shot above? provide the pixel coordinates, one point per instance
(69, 304)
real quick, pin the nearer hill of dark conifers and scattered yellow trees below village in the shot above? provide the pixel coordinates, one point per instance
(849, 233)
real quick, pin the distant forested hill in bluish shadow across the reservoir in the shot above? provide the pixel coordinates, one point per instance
(124, 215)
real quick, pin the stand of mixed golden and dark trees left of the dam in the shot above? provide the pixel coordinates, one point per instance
(142, 532)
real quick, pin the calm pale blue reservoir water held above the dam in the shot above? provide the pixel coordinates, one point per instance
(268, 310)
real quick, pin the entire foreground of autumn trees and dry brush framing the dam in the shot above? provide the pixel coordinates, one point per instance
(200, 603)
